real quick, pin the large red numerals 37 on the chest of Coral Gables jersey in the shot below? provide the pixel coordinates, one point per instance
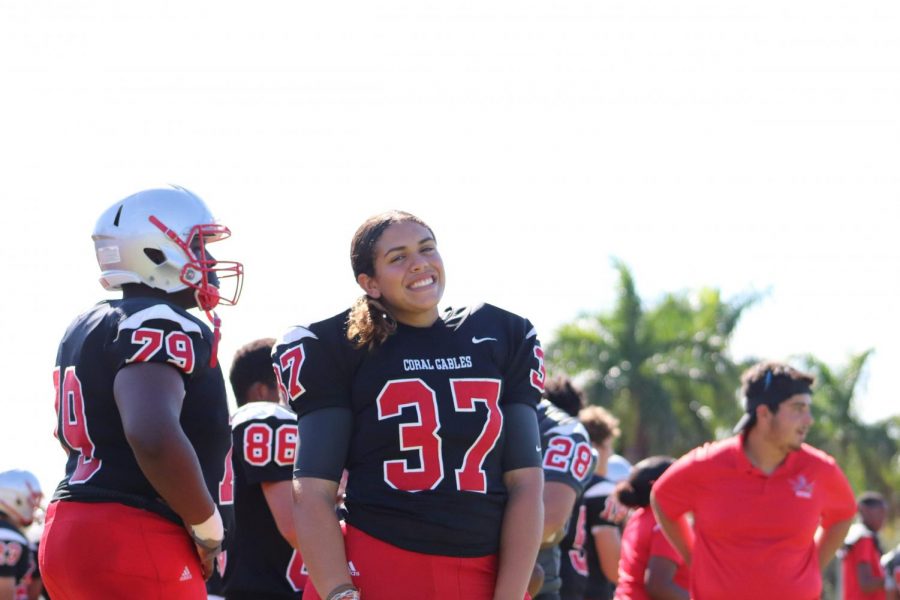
(422, 434)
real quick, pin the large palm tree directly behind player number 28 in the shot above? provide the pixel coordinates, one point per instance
(665, 372)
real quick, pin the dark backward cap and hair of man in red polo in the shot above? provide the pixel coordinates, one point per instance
(771, 383)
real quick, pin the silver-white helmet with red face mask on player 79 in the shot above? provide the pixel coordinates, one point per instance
(158, 237)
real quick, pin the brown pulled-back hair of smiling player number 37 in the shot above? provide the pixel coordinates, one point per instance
(370, 322)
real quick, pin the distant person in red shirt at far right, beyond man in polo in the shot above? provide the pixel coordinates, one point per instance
(863, 575)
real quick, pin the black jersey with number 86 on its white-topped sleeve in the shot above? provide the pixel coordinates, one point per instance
(260, 561)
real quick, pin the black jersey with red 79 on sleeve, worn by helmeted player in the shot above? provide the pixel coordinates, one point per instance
(101, 466)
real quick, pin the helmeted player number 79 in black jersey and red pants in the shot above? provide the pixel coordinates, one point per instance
(142, 411)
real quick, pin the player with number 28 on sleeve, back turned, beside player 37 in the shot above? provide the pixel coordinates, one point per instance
(568, 463)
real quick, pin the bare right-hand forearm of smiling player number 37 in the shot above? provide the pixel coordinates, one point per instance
(520, 534)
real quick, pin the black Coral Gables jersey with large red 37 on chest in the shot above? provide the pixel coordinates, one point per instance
(425, 459)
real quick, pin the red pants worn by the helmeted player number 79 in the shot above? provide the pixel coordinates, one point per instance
(112, 551)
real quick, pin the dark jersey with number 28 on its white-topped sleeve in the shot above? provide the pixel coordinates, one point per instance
(567, 458)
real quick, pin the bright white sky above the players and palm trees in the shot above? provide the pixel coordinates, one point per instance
(746, 145)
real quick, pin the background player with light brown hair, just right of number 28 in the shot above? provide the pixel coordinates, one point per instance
(603, 532)
